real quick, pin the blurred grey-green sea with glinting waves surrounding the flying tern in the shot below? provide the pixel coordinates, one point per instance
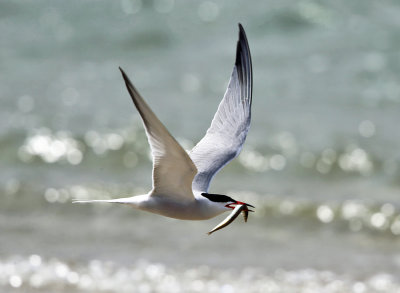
(321, 162)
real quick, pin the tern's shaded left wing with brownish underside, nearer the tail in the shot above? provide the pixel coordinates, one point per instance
(173, 170)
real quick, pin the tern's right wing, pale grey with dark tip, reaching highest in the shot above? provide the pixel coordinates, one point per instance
(227, 133)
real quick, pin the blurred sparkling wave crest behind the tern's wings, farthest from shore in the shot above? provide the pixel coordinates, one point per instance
(128, 147)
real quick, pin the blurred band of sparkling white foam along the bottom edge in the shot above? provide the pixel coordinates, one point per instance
(35, 272)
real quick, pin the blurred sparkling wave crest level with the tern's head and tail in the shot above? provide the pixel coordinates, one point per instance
(350, 215)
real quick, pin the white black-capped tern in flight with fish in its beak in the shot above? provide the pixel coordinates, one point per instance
(181, 180)
